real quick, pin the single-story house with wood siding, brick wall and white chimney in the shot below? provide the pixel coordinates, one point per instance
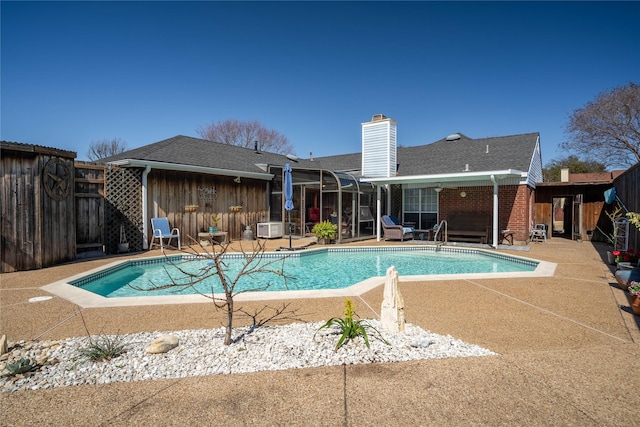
(461, 180)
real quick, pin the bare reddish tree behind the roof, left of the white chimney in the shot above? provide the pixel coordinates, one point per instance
(246, 134)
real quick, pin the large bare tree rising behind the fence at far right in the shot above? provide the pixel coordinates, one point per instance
(608, 128)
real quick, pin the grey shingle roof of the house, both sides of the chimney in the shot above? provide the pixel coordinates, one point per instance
(440, 157)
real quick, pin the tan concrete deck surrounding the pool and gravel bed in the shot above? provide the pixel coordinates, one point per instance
(568, 349)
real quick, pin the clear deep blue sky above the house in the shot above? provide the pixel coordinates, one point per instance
(77, 72)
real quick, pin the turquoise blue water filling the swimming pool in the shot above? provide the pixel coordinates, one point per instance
(309, 270)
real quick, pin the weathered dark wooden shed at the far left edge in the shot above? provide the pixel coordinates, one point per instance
(37, 206)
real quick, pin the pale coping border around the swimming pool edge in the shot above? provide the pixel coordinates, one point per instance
(86, 299)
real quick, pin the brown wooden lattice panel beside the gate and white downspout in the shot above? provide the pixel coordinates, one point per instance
(123, 205)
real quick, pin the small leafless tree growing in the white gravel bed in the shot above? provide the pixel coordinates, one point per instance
(254, 263)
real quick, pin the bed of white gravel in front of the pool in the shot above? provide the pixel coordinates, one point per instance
(201, 352)
